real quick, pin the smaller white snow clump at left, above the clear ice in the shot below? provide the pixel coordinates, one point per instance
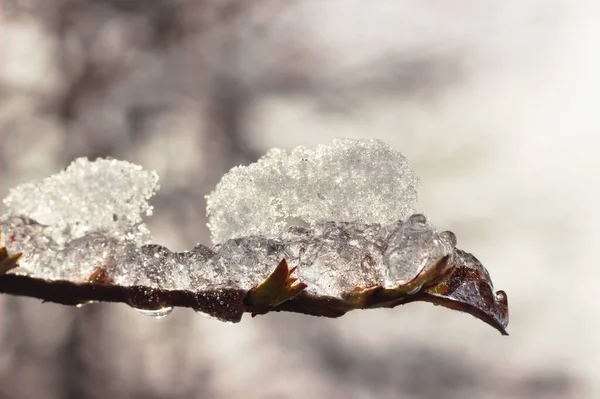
(105, 195)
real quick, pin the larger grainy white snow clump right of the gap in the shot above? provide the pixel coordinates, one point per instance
(348, 180)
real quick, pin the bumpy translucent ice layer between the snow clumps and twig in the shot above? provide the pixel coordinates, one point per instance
(332, 258)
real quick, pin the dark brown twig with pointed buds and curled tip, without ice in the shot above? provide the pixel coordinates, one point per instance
(278, 292)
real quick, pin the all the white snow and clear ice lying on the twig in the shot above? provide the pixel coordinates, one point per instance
(341, 213)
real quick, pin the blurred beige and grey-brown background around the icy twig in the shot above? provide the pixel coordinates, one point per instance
(495, 104)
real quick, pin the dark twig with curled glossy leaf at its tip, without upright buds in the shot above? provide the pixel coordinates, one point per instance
(229, 304)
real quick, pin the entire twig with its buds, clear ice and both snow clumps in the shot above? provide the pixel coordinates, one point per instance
(320, 232)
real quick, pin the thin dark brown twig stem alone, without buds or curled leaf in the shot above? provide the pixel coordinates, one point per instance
(227, 304)
